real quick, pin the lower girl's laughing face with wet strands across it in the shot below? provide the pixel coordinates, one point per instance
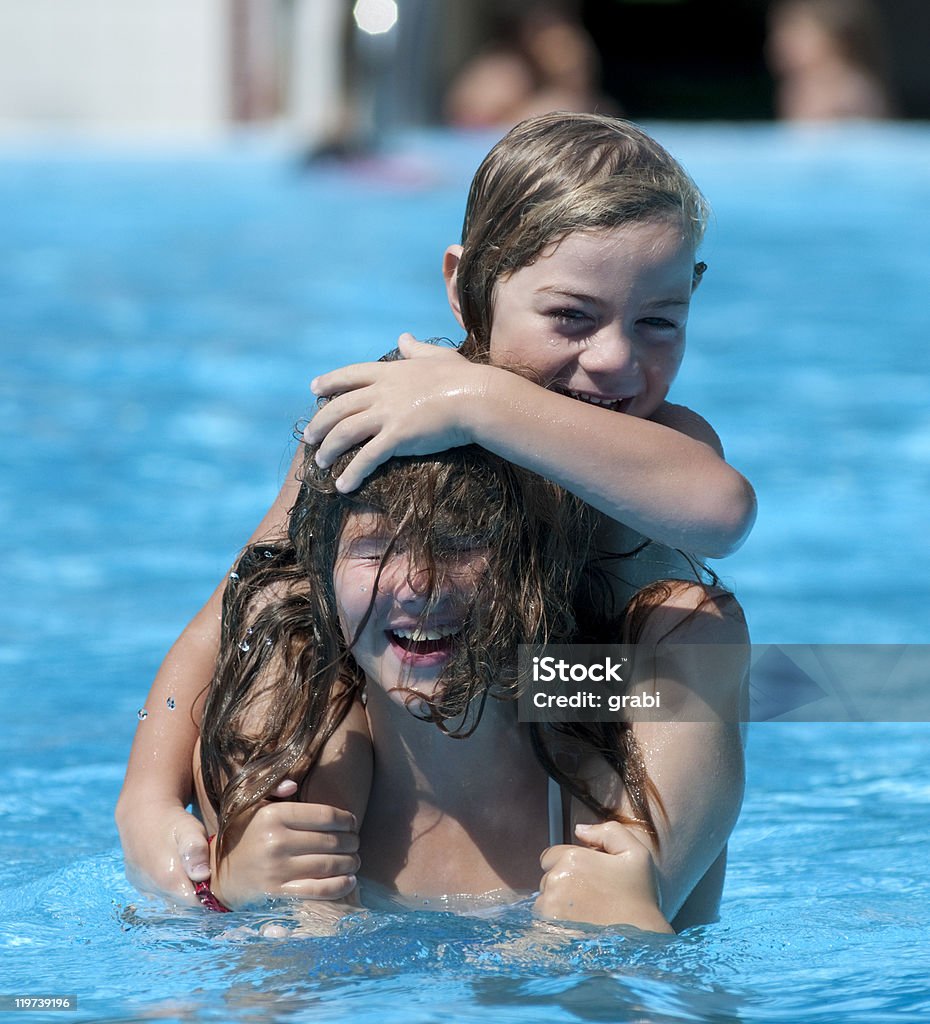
(401, 632)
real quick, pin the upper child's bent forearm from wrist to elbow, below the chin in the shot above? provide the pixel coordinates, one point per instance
(655, 480)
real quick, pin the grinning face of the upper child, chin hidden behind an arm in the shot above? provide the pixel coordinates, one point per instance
(602, 315)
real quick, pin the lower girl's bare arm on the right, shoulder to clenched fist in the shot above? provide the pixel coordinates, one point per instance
(696, 762)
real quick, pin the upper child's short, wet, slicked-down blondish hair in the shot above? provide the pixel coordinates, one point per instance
(556, 175)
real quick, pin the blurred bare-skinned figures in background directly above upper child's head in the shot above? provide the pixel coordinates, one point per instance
(540, 59)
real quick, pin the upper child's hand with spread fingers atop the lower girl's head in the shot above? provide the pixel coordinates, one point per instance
(415, 406)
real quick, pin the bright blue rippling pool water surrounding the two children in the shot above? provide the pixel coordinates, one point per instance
(160, 320)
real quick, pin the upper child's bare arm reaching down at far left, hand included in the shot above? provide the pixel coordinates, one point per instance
(163, 845)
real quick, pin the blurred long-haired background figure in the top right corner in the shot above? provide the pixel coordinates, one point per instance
(829, 60)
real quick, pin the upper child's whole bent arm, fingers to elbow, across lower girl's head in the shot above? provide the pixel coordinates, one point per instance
(663, 478)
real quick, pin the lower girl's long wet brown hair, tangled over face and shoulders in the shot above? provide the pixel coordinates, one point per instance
(285, 678)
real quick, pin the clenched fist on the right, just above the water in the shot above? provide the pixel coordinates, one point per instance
(610, 880)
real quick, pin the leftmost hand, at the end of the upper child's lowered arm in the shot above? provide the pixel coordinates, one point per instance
(165, 849)
